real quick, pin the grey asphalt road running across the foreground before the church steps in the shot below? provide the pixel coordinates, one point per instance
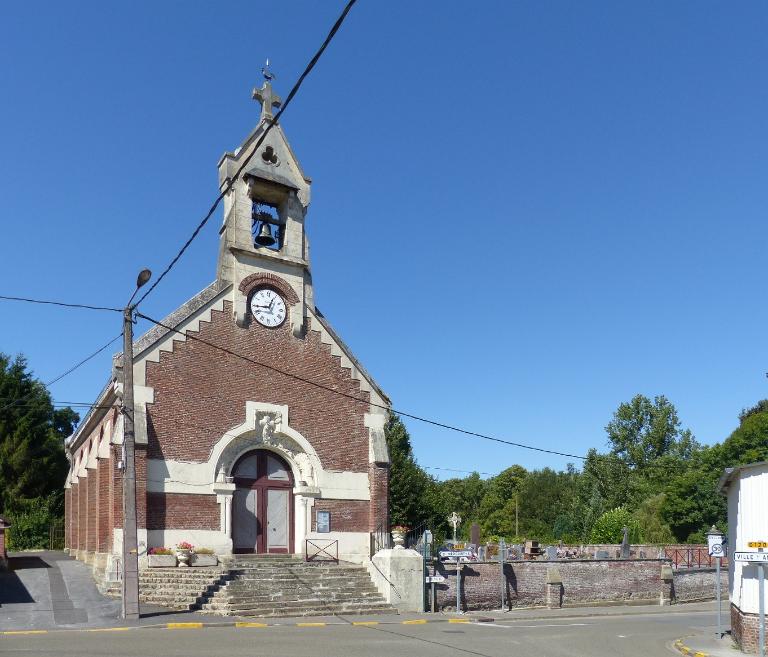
(631, 635)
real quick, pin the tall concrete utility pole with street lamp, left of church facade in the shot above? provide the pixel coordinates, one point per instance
(130, 607)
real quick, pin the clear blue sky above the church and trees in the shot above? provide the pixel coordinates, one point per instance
(523, 213)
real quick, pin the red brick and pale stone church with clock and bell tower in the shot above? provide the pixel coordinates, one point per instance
(256, 427)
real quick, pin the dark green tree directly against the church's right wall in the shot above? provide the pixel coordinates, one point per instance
(408, 483)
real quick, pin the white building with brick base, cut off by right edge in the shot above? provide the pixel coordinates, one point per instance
(746, 487)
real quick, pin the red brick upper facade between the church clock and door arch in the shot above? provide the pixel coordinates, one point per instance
(200, 392)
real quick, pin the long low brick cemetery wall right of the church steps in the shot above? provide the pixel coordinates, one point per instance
(586, 581)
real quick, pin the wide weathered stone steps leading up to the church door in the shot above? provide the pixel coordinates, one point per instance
(266, 585)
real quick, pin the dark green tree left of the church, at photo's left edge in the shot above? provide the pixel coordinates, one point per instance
(32, 461)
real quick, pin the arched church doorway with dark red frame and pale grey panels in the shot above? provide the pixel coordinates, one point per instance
(262, 506)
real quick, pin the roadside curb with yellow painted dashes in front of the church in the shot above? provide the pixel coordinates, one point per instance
(248, 624)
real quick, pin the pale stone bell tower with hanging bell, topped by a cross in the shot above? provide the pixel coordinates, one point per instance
(263, 233)
